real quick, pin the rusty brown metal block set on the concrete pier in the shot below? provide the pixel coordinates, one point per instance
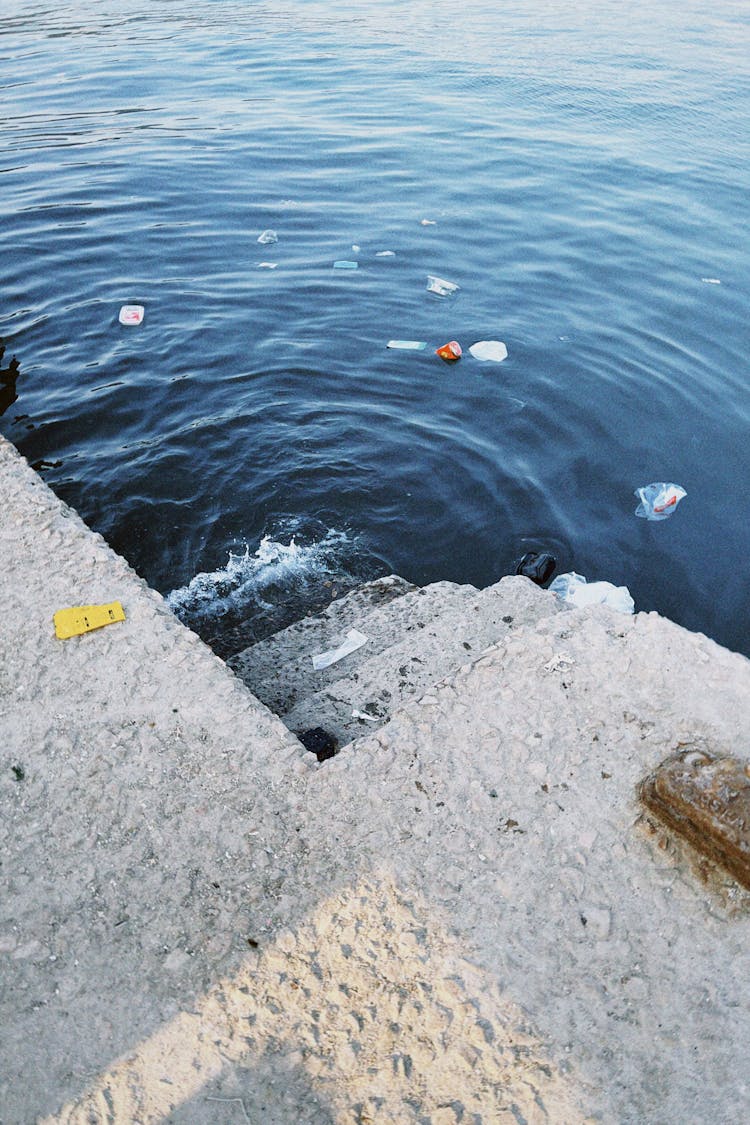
(707, 799)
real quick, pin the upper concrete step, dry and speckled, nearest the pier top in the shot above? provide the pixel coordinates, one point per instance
(421, 655)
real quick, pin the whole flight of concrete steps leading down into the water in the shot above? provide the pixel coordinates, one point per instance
(417, 637)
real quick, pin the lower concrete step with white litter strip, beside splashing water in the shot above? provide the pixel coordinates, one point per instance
(279, 671)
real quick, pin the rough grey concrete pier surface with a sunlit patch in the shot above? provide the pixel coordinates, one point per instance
(465, 917)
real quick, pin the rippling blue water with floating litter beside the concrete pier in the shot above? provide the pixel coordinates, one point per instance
(586, 173)
